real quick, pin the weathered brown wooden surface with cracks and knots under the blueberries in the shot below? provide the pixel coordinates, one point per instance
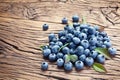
(21, 35)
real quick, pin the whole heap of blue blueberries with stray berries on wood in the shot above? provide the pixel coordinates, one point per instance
(78, 40)
